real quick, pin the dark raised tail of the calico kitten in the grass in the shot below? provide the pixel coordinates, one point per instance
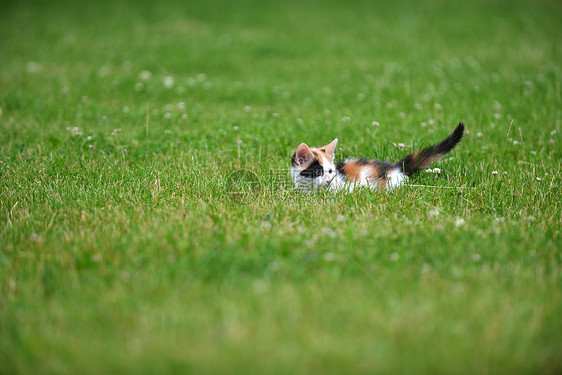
(421, 159)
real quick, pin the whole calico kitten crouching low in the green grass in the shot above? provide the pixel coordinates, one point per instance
(314, 168)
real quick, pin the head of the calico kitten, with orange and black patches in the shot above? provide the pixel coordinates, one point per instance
(314, 168)
